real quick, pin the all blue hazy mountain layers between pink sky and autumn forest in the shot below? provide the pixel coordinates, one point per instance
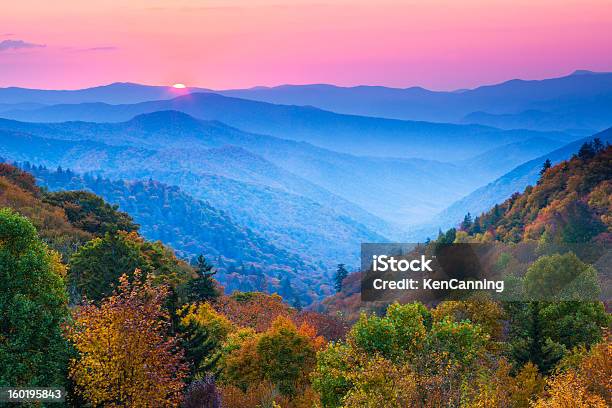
(303, 180)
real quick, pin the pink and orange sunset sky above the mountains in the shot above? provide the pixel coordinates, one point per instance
(438, 44)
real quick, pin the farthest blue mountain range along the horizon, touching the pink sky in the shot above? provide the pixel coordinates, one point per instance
(580, 102)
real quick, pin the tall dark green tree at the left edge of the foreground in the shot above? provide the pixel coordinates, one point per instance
(33, 307)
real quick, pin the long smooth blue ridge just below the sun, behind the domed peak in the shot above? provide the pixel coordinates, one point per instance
(357, 135)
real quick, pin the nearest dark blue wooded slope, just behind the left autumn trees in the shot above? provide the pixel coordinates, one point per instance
(244, 260)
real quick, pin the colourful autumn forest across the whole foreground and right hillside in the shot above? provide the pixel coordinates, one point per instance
(87, 303)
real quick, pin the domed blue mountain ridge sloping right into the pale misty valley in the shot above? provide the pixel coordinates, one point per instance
(373, 184)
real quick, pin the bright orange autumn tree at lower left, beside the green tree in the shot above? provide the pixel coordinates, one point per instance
(126, 357)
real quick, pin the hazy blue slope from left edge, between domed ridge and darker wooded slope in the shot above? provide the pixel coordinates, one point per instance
(290, 221)
